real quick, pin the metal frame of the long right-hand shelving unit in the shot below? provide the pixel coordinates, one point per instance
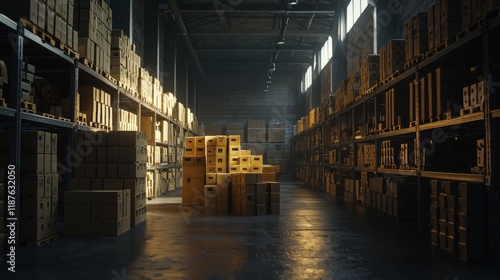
(475, 48)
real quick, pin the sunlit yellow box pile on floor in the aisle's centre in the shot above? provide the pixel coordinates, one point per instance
(210, 164)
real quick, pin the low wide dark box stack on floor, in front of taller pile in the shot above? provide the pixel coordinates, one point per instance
(95, 213)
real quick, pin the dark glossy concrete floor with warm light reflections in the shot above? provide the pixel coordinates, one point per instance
(315, 237)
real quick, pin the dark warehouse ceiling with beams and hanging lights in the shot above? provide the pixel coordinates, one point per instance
(246, 32)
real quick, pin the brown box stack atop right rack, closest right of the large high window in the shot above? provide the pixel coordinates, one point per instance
(392, 58)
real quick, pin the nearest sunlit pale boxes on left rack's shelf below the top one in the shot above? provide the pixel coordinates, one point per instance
(96, 104)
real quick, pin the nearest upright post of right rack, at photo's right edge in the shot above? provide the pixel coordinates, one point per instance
(491, 150)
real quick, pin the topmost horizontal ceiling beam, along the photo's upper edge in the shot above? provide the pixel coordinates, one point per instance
(258, 8)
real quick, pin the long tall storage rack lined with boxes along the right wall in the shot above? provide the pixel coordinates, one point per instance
(440, 137)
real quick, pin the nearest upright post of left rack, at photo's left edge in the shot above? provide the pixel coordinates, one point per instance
(15, 129)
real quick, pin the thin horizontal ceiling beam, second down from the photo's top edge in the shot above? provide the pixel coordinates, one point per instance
(246, 32)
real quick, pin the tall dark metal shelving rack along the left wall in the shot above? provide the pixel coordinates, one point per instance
(55, 65)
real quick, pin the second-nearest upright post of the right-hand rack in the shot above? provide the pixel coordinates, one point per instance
(418, 153)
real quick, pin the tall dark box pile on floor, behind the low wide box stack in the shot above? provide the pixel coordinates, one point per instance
(113, 161)
